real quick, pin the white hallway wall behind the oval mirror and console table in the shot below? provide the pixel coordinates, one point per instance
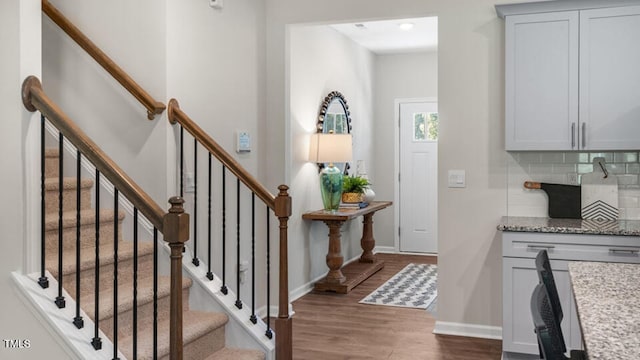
(323, 60)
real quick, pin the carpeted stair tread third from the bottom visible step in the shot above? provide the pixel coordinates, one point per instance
(125, 299)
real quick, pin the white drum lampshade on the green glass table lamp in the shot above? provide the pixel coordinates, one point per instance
(330, 148)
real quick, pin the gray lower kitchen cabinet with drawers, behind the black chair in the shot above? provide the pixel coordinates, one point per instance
(519, 250)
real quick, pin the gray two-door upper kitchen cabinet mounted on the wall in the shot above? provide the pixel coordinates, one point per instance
(572, 80)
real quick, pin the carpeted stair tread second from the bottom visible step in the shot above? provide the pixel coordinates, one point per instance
(195, 325)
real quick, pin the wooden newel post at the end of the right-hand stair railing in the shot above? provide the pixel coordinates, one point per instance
(284, 328)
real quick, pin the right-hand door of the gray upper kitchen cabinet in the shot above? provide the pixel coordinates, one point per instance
(610, 78)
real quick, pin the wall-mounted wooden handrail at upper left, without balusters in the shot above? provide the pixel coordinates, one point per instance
(153, 107)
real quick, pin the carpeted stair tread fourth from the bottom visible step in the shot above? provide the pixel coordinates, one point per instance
(88, 255)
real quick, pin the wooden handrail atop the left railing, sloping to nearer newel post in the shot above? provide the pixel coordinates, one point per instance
(34, 98)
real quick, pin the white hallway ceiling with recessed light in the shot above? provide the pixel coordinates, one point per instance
(386, 37)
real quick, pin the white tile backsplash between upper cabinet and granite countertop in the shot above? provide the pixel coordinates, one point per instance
(554, 167)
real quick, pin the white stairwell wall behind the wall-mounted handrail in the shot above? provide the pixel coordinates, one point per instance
(132, 33)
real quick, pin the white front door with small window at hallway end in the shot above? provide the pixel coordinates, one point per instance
(418, 177)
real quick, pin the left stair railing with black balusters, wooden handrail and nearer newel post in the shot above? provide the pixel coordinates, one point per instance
(174, 224)
